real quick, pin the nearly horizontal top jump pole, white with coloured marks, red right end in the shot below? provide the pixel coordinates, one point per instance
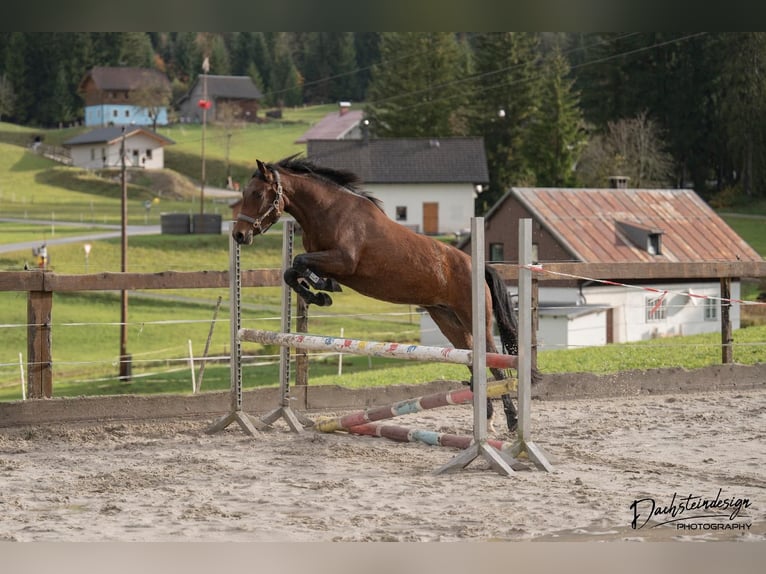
(375, 348)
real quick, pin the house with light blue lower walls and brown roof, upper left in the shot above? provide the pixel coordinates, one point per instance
(125, 96)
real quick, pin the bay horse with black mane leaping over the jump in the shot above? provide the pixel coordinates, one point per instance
(349, 240)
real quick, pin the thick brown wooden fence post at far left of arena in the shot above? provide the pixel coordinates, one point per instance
(39, 365)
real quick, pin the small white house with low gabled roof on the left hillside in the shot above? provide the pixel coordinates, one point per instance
(100, 148)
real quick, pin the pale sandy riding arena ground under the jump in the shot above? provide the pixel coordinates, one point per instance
(170, 481)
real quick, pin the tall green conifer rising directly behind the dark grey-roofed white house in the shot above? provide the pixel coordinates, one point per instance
(414, 91)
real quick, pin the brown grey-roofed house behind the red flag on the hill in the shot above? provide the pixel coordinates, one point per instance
(226, 98)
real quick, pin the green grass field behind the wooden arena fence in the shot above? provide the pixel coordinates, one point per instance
(162, 323)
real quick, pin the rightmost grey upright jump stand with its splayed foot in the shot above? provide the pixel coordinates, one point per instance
(523, 443)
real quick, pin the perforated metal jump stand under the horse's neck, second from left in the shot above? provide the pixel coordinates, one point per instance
(296, 421)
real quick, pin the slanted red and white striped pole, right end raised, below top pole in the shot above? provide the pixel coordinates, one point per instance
(432, 401)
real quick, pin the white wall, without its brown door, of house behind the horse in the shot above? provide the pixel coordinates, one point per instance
(455, 203)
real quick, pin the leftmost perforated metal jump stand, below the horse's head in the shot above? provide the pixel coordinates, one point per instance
(247, 422)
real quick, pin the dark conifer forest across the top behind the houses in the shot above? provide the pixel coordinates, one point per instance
(684, 109)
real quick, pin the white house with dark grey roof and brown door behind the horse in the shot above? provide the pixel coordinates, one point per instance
(426, 184)
